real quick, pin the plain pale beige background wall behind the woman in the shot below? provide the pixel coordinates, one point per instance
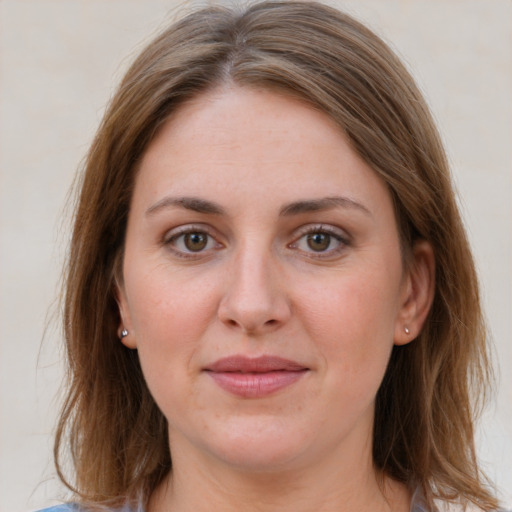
(59, 62)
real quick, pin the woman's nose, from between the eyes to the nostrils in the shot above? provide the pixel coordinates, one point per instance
(255, 299)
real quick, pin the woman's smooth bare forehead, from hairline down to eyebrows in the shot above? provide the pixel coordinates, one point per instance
(238, 139)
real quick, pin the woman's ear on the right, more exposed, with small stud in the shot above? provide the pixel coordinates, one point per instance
(417, 293)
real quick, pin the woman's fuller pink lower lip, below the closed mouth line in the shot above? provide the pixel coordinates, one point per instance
(256, 385)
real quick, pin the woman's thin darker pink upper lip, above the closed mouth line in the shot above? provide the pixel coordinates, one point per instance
(261, 364)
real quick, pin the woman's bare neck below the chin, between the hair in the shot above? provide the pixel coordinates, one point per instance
(326, 487)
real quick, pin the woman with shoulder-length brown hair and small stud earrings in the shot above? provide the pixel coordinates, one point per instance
(271, 303)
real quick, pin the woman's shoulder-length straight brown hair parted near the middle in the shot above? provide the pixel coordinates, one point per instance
(433, 388)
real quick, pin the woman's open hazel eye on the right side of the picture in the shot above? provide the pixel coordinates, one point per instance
(320, 241)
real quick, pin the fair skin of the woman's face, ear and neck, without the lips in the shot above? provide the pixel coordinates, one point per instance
(254, 284)
